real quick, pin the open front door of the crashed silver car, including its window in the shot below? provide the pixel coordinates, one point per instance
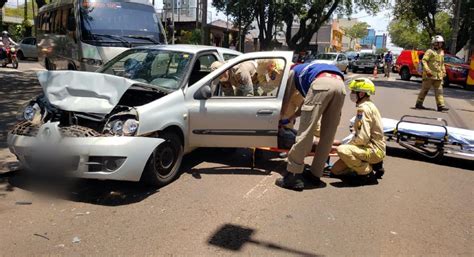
(244, 110)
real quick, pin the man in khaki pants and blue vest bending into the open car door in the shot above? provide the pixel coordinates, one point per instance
(324, 91)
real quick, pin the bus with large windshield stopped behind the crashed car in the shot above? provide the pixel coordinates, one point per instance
(84, 34)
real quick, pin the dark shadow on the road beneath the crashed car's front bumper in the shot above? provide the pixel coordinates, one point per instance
(106, 193)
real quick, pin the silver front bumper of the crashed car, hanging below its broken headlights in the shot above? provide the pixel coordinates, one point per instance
(104, 158)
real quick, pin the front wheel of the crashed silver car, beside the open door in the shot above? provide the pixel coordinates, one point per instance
(163, 165)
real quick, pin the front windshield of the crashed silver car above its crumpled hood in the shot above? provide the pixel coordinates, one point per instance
(162, 68)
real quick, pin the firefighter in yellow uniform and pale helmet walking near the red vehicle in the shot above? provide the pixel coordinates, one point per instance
(433, 74)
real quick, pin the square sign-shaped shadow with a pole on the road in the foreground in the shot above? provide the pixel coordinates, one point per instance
(234, 237)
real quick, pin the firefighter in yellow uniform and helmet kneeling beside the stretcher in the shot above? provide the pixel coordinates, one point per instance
(367, 147)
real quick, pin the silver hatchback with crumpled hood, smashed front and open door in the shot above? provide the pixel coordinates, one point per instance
(136, 118)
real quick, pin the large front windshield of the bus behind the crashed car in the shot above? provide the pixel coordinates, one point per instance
(119, 21)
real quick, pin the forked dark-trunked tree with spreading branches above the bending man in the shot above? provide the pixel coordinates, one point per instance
(312, 14)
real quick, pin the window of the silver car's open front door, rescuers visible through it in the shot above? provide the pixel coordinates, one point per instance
(252, 78)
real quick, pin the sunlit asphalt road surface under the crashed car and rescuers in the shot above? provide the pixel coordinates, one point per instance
(220, 206)
